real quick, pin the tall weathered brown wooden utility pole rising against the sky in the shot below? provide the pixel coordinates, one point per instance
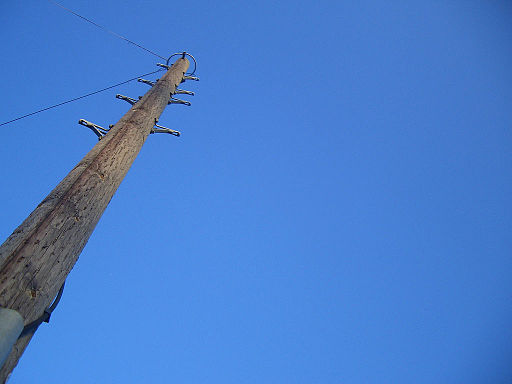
(36, 259)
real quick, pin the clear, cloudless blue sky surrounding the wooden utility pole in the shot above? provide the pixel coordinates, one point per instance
(337, 210)
